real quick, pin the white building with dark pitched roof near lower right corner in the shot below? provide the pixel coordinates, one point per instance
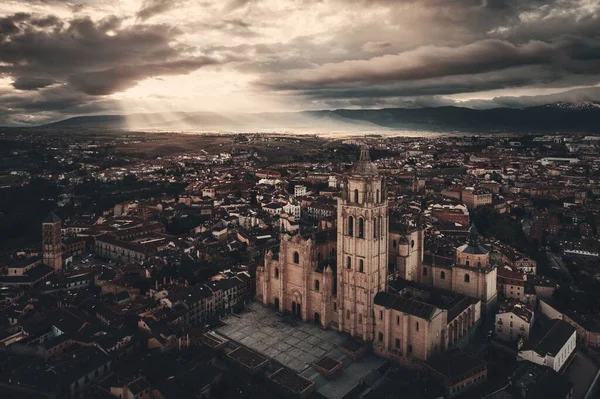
(553, 347)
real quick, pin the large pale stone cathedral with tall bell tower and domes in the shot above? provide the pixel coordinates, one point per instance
(372, 280)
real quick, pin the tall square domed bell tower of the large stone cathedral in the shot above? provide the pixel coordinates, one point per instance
(362, 247)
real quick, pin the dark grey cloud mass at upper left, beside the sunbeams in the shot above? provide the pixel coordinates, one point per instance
(84, 58)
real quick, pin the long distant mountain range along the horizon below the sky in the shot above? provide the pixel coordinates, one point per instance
(558, 117)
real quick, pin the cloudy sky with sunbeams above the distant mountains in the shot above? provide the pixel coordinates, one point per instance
(64, 58)
